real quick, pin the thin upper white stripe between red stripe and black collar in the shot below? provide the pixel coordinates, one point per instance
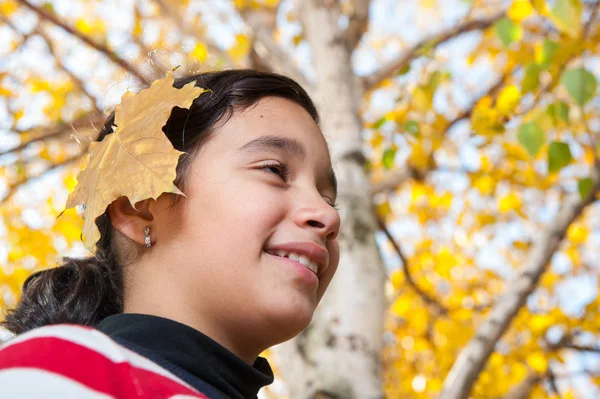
(97, 341)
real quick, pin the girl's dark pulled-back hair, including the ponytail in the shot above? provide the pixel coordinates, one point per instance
(86, 290)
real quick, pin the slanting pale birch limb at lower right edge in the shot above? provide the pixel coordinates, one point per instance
(474, 355)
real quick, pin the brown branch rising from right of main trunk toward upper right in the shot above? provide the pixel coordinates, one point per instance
(435, 40)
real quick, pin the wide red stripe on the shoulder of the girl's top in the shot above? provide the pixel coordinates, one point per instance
(90, 368)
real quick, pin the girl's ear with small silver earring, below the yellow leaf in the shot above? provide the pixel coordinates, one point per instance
(131, 222)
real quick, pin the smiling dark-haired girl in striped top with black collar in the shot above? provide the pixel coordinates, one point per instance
(184, 293)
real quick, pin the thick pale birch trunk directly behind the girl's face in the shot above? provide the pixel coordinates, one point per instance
(339, 354)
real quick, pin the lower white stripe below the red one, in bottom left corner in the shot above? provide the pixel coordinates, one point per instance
(29, 383)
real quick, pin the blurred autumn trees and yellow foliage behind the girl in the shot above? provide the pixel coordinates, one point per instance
(475, 125)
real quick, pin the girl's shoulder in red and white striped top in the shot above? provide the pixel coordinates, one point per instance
(75, 361)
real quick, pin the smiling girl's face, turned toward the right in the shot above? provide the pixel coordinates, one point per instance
(263, 183)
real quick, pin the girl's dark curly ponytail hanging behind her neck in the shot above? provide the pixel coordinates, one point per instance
(80, 291)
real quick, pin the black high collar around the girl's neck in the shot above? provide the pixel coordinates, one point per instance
(189, 354)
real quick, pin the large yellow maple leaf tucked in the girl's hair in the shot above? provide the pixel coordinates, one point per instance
(138, 148)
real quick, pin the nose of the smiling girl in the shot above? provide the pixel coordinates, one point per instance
(313, 212)
